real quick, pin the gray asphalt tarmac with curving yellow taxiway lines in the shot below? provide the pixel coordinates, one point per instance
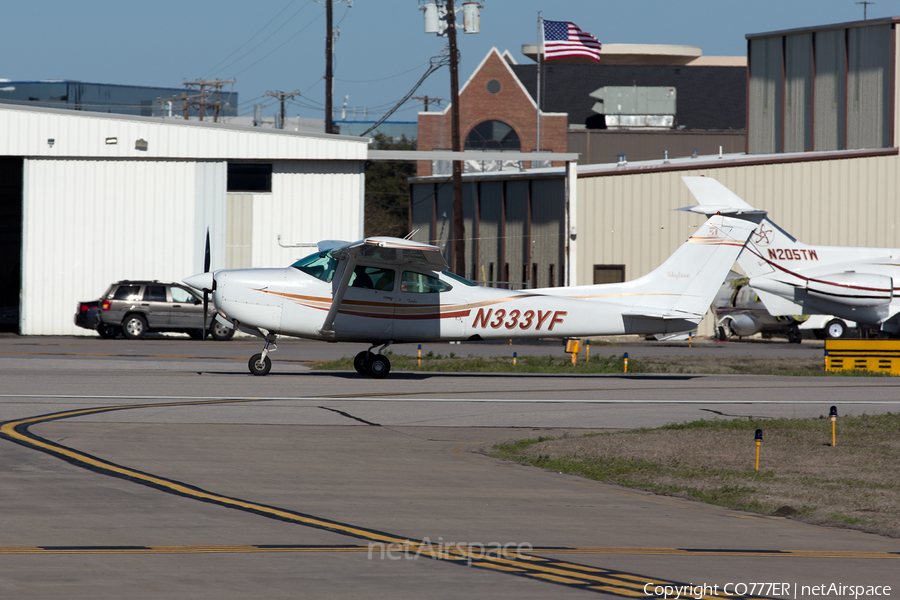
(161, 468)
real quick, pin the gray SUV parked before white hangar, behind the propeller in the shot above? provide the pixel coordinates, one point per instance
(138, 307)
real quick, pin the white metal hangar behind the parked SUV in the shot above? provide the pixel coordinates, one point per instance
(87, 199)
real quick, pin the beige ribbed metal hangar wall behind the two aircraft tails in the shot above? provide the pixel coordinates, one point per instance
(630, 219)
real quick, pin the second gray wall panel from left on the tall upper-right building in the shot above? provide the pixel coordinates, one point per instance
(798, 93)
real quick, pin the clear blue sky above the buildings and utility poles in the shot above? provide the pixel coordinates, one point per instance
(278, 45)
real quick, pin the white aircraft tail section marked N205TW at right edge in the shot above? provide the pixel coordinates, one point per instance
(793, 278)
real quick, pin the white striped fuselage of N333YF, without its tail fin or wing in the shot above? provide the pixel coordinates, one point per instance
(290, 302)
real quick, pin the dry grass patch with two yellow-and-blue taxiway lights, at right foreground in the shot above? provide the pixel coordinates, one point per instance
(853, 484)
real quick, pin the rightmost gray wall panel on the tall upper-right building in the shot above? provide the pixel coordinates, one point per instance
(868, 86)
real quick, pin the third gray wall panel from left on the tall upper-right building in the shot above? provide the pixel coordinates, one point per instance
(829, 89)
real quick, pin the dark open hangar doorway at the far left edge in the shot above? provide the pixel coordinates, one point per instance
(10, 242)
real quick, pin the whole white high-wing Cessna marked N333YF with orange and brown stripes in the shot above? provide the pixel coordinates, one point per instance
(385, 290)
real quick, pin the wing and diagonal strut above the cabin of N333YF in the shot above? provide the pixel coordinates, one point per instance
(375, 250)
